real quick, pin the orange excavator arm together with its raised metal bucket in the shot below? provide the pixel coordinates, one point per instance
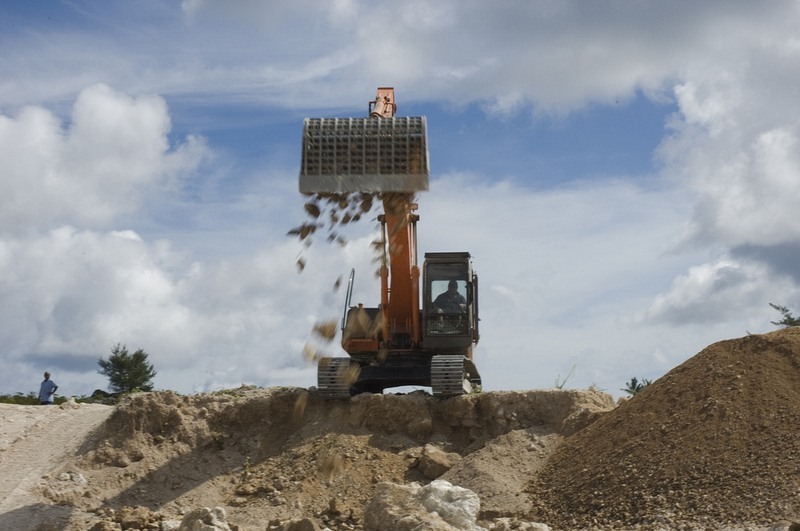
(388, 156)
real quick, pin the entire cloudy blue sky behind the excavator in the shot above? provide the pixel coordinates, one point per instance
(625, 174)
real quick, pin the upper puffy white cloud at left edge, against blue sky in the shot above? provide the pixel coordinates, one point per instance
(113, 155)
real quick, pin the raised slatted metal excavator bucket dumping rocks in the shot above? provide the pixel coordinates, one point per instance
(364, 155)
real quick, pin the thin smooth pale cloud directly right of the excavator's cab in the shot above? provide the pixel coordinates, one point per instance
(563, 275)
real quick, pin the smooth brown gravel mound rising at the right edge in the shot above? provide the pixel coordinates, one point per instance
(713, 442)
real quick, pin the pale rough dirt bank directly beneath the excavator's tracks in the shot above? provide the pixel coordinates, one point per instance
(270, 455)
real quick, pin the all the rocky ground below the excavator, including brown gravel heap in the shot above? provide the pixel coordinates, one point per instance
(711, 445)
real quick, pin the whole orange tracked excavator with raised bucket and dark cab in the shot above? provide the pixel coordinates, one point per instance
(396, 343)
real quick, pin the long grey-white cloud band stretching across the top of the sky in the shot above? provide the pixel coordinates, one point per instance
(552, 57)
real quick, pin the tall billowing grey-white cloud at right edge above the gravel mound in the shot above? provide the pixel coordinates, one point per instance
(734, 142)
